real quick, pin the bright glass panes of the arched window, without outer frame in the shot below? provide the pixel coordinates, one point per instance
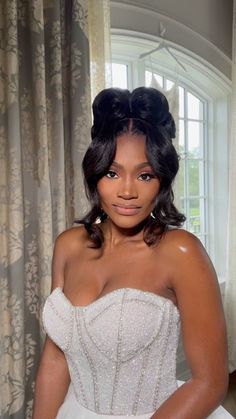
(191, 180)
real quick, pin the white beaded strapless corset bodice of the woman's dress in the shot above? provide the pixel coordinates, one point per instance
(120, 349)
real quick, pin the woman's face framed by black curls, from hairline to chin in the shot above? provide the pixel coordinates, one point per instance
(129, 189)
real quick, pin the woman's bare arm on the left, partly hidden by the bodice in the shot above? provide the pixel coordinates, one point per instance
(53, 377)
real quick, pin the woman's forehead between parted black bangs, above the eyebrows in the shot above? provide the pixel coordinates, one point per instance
(130, 148)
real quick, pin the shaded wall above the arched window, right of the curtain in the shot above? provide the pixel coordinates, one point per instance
(203, 27)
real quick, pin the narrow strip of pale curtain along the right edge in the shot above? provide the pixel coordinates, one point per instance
(230, 291)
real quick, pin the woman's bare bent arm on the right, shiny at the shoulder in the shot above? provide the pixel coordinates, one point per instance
(203, 330)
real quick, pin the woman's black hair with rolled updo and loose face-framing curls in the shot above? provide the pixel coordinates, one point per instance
(148, 109)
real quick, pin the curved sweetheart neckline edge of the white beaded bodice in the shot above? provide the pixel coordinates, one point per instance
(113, 292)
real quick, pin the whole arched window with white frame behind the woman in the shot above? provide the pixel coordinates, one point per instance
(204, 100)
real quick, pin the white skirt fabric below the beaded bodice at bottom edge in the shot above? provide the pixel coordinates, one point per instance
(71, 409)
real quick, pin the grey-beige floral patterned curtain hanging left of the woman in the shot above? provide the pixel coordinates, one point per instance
(45, 112)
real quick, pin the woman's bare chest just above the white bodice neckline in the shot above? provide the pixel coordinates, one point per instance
(94, 273)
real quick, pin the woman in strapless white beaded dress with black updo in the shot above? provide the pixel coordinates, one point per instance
(124, 280)
